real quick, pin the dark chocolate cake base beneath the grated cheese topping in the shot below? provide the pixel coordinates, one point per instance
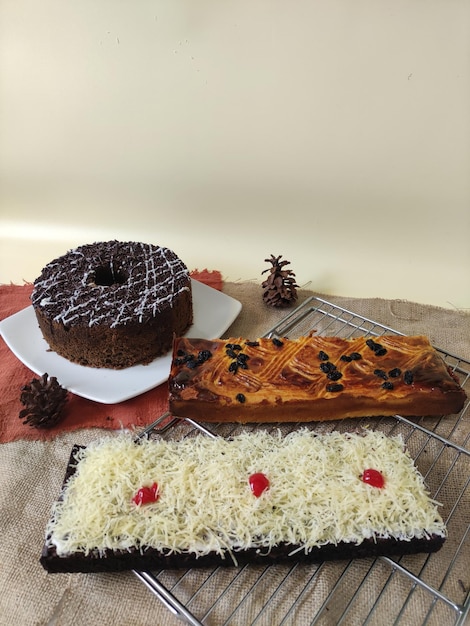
(147, 559)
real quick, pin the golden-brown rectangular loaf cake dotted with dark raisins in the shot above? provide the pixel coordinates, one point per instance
(310, 379)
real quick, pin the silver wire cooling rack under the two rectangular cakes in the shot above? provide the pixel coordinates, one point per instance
(416, 589)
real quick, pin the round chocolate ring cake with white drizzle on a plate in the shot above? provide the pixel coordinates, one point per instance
(113, 304)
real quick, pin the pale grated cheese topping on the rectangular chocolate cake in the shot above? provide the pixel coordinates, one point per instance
(205, 504)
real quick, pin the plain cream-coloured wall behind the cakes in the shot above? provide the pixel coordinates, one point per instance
(335, 133)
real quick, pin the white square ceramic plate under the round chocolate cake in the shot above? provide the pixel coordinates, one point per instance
(213, 312)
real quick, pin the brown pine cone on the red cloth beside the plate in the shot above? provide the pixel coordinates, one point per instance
(44, 400)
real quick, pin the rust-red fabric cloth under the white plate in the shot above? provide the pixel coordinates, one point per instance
(78, 413)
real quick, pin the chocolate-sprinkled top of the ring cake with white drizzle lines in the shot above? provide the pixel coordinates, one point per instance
(144, 281)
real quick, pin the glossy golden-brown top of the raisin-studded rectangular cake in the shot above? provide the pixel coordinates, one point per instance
(271, 370)
